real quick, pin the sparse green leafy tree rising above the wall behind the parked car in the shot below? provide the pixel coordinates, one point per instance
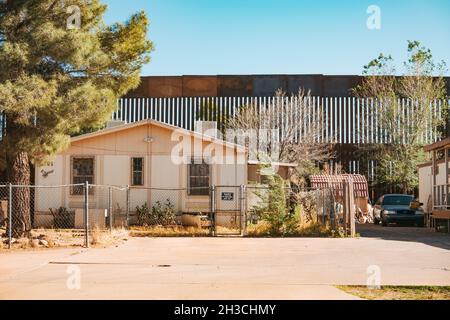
(420, 85)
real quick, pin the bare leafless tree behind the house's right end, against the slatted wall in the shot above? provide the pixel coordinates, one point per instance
(288, 129)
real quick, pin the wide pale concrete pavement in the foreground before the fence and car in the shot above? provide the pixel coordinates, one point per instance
(229, 268)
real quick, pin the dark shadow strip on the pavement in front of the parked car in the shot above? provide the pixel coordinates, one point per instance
(399, 233)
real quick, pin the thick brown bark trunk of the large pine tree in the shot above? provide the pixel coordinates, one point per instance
(19, 174)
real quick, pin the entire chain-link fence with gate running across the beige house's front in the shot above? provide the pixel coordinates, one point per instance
(72, 215)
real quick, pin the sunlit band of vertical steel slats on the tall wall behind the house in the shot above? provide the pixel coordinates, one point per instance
(343, 120)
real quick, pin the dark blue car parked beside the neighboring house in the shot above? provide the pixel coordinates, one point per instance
(396, 208)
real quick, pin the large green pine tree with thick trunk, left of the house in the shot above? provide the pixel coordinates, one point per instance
(61, 70)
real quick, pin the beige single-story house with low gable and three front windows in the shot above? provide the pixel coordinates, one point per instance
(146, 156)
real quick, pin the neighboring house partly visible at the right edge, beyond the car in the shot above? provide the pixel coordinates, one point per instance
(434, 185)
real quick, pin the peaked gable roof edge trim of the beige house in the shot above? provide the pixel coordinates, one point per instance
(128, 126)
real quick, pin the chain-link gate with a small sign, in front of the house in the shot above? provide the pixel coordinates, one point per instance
(228, 210)
